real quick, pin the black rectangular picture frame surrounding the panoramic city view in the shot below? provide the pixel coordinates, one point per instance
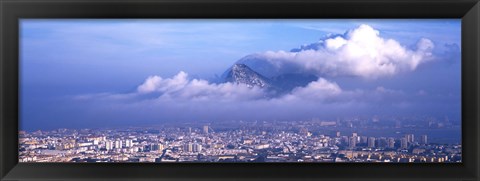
(13, 10)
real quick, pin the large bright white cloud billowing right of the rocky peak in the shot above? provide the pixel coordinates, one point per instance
(360, 52)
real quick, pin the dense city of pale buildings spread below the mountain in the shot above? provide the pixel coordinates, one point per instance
(305, 141)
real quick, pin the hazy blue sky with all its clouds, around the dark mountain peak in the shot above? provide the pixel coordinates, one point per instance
(94, 73)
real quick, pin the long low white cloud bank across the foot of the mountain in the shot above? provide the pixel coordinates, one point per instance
(181, 88)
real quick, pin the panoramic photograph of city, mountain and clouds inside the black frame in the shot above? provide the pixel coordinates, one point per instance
(240, 90)
